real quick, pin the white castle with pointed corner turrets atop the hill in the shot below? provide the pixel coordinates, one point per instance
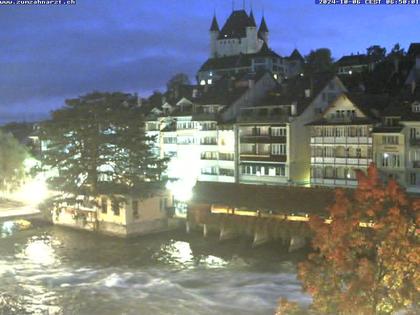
(240, 47)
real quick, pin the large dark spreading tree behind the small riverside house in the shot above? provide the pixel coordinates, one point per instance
(97, 145)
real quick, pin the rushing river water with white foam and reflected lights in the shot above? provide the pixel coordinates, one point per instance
(53, 270)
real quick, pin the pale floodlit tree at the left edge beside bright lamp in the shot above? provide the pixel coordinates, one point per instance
(12, 157)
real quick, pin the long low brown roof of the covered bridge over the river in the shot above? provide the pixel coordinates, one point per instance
(279, 199)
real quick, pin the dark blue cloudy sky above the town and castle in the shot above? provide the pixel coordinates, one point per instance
(48, 54)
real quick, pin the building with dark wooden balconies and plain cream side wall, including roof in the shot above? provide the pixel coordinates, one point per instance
(272, 142)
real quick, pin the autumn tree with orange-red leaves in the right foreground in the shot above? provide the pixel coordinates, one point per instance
(369, 269)
